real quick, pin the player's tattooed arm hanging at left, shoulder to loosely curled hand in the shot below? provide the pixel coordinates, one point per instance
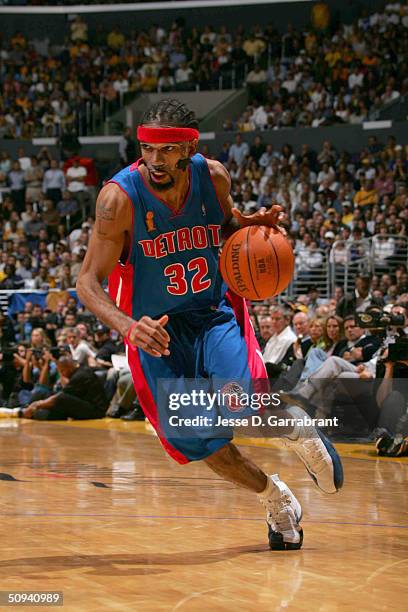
(112, 228)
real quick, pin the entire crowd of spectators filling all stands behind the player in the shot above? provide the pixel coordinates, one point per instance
(346, 214)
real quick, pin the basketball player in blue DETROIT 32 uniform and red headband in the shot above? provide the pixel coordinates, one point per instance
(163, 218)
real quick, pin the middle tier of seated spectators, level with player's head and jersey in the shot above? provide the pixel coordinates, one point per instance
(340, 210)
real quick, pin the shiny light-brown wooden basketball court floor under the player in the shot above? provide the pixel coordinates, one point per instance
(97, 510)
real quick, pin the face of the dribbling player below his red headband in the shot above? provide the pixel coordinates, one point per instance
(161, 163)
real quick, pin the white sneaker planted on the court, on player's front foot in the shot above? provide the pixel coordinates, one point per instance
(284, 513)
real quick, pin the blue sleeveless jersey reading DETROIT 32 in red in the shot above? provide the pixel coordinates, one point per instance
(173, 262)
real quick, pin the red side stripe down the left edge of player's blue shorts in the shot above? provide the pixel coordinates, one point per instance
(147, 402)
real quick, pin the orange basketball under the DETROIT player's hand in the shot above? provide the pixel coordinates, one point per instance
(257, 262)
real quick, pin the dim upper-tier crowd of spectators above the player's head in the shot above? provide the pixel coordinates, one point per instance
(320, 76)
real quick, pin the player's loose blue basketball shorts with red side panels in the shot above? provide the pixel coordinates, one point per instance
(216, 343)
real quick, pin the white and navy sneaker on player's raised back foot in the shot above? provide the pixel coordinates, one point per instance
(316, 452)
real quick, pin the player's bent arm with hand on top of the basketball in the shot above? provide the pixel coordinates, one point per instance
(234, 219)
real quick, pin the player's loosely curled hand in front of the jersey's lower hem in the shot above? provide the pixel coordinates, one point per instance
(150, 335)
